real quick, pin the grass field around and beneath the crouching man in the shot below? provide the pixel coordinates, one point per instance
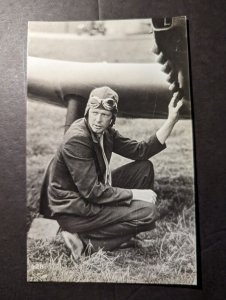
(171, 259)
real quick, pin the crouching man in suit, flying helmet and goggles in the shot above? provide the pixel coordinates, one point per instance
(92, 204)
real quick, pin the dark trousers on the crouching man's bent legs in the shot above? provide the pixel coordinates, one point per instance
(115, 225)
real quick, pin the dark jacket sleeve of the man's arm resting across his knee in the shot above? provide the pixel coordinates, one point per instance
(79, 159)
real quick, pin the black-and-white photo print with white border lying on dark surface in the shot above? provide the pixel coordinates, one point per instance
(110, 167)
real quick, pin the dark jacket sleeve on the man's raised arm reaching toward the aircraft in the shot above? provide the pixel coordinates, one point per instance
(135, 150)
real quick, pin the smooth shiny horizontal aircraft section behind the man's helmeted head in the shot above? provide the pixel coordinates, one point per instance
(142, 87)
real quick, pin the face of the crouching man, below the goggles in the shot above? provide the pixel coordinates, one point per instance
(99, 119)
